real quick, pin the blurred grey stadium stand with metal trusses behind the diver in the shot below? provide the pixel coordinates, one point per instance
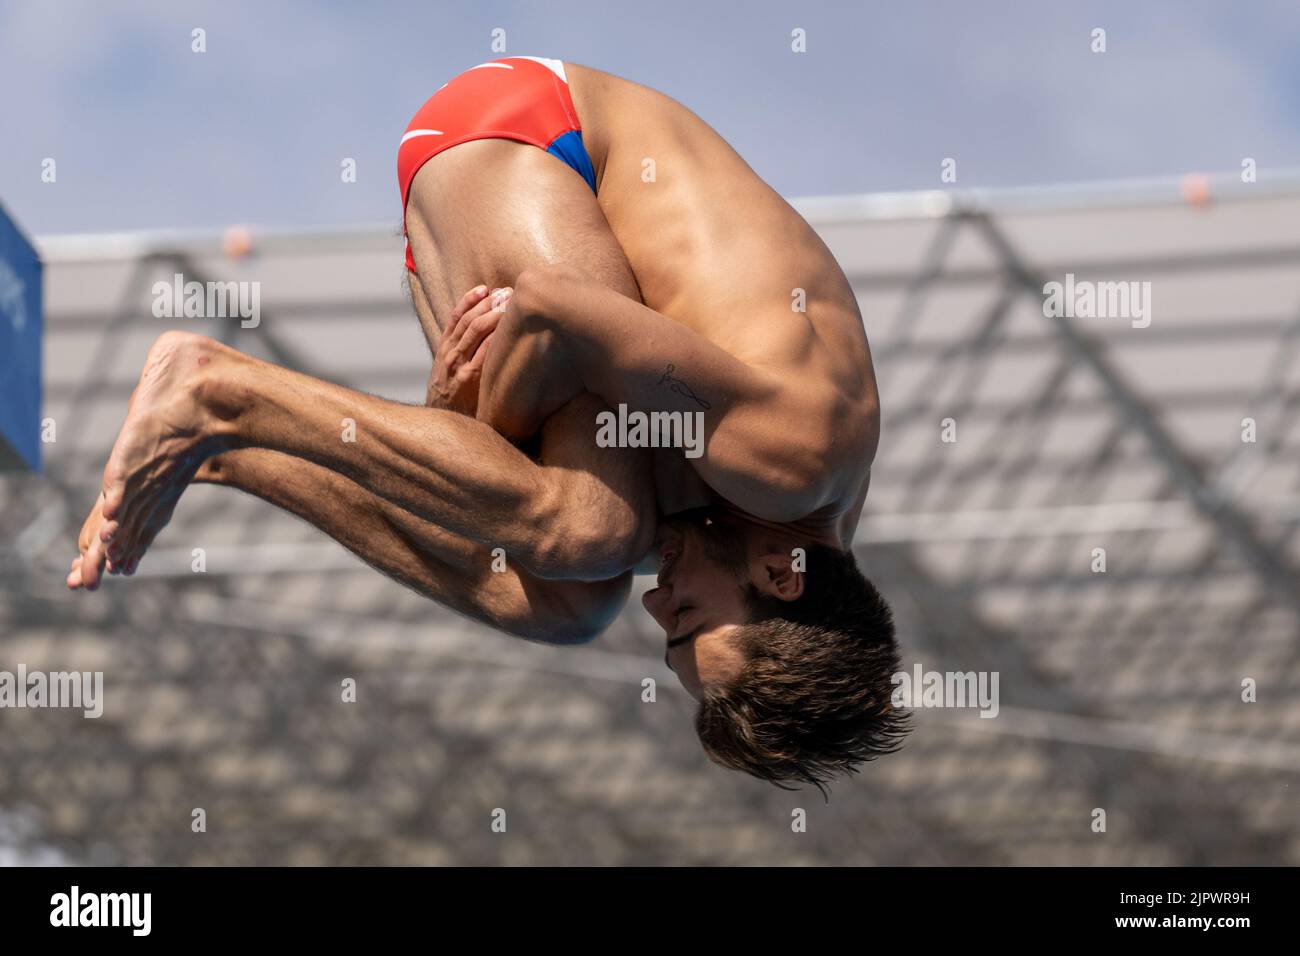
(1020, 452)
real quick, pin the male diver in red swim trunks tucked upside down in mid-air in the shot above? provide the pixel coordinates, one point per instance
(621, 259)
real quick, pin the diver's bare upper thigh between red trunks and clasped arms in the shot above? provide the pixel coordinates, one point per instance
(482, 213)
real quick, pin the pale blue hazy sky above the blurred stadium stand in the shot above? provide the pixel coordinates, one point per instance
(149, 135)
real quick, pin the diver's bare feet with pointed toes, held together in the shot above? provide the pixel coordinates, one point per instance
(166, 439)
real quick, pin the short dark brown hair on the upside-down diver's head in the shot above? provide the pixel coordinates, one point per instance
(814, 698)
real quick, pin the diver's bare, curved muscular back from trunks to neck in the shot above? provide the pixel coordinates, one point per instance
(717, 249)
